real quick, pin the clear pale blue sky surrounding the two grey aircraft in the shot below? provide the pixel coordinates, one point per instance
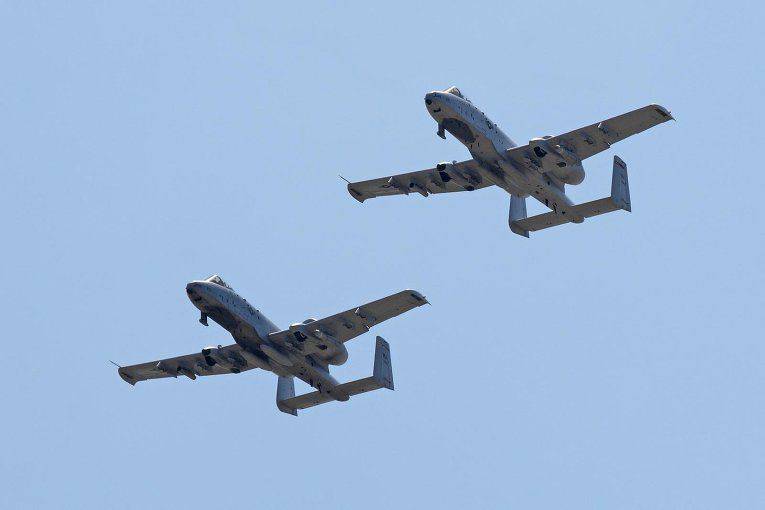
(613, 364)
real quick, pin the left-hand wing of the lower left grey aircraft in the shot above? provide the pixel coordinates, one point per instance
(230, 360)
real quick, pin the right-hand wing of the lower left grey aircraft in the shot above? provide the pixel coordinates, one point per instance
(357, 321)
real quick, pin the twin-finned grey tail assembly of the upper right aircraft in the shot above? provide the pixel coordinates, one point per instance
(619, 199)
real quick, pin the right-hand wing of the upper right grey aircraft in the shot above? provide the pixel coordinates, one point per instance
(595, 138)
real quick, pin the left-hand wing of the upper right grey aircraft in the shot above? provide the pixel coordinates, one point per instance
(462, 176)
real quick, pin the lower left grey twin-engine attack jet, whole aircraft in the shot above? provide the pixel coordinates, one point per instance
(305, 350)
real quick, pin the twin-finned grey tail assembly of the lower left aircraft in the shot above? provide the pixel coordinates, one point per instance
(382, 377)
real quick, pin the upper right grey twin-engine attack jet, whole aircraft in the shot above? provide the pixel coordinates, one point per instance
(540, 169)
